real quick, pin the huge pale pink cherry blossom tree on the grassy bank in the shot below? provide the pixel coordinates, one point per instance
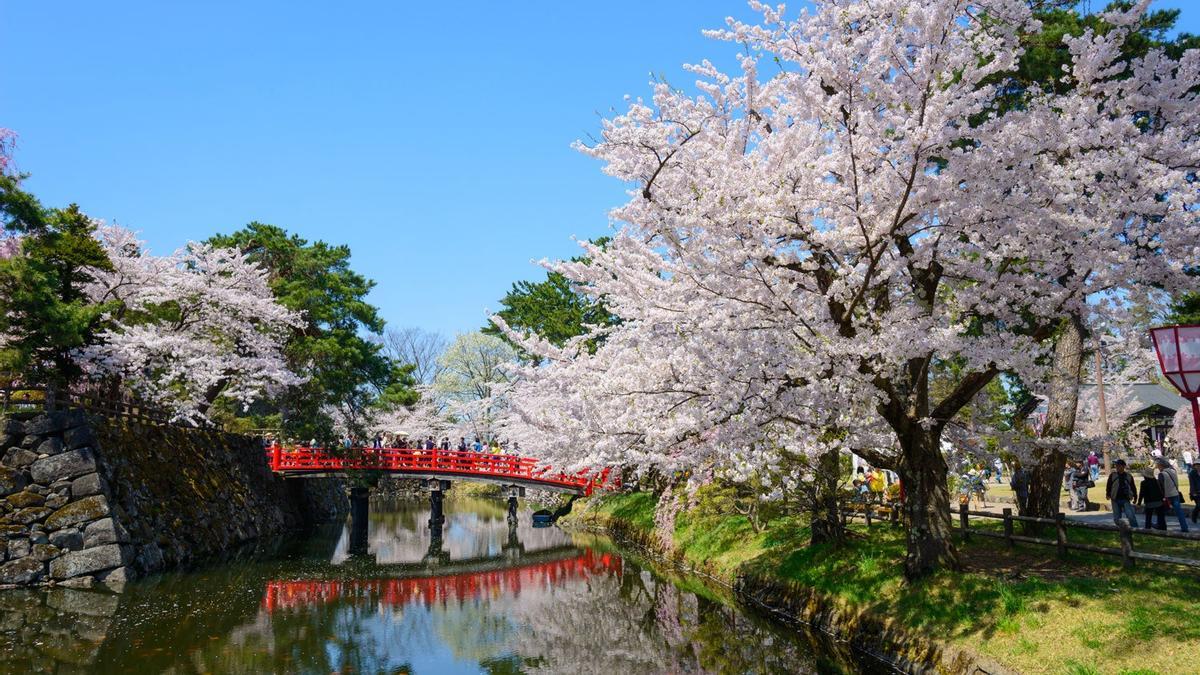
(802, 249)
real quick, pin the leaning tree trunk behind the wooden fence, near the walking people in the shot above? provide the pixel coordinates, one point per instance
(1046, 475)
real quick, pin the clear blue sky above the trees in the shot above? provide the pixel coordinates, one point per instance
(433, 139)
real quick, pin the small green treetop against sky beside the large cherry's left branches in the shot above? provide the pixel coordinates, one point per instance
(554, 309)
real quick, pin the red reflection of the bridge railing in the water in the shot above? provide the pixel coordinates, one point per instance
(429, 592)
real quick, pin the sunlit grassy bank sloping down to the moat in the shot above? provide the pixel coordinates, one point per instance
(1025, 610)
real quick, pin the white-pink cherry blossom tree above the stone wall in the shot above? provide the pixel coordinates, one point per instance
(190, 327)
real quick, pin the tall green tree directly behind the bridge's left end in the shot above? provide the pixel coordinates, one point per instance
(347, 372)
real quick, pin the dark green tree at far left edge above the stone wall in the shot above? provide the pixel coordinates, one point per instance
(45, 313)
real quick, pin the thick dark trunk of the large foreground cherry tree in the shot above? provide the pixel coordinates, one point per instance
(927, 503)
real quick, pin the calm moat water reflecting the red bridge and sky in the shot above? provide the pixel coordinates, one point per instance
(484, 599)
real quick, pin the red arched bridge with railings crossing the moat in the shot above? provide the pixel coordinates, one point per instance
(505, 470)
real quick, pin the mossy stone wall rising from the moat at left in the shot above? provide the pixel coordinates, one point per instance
(87, 499)
